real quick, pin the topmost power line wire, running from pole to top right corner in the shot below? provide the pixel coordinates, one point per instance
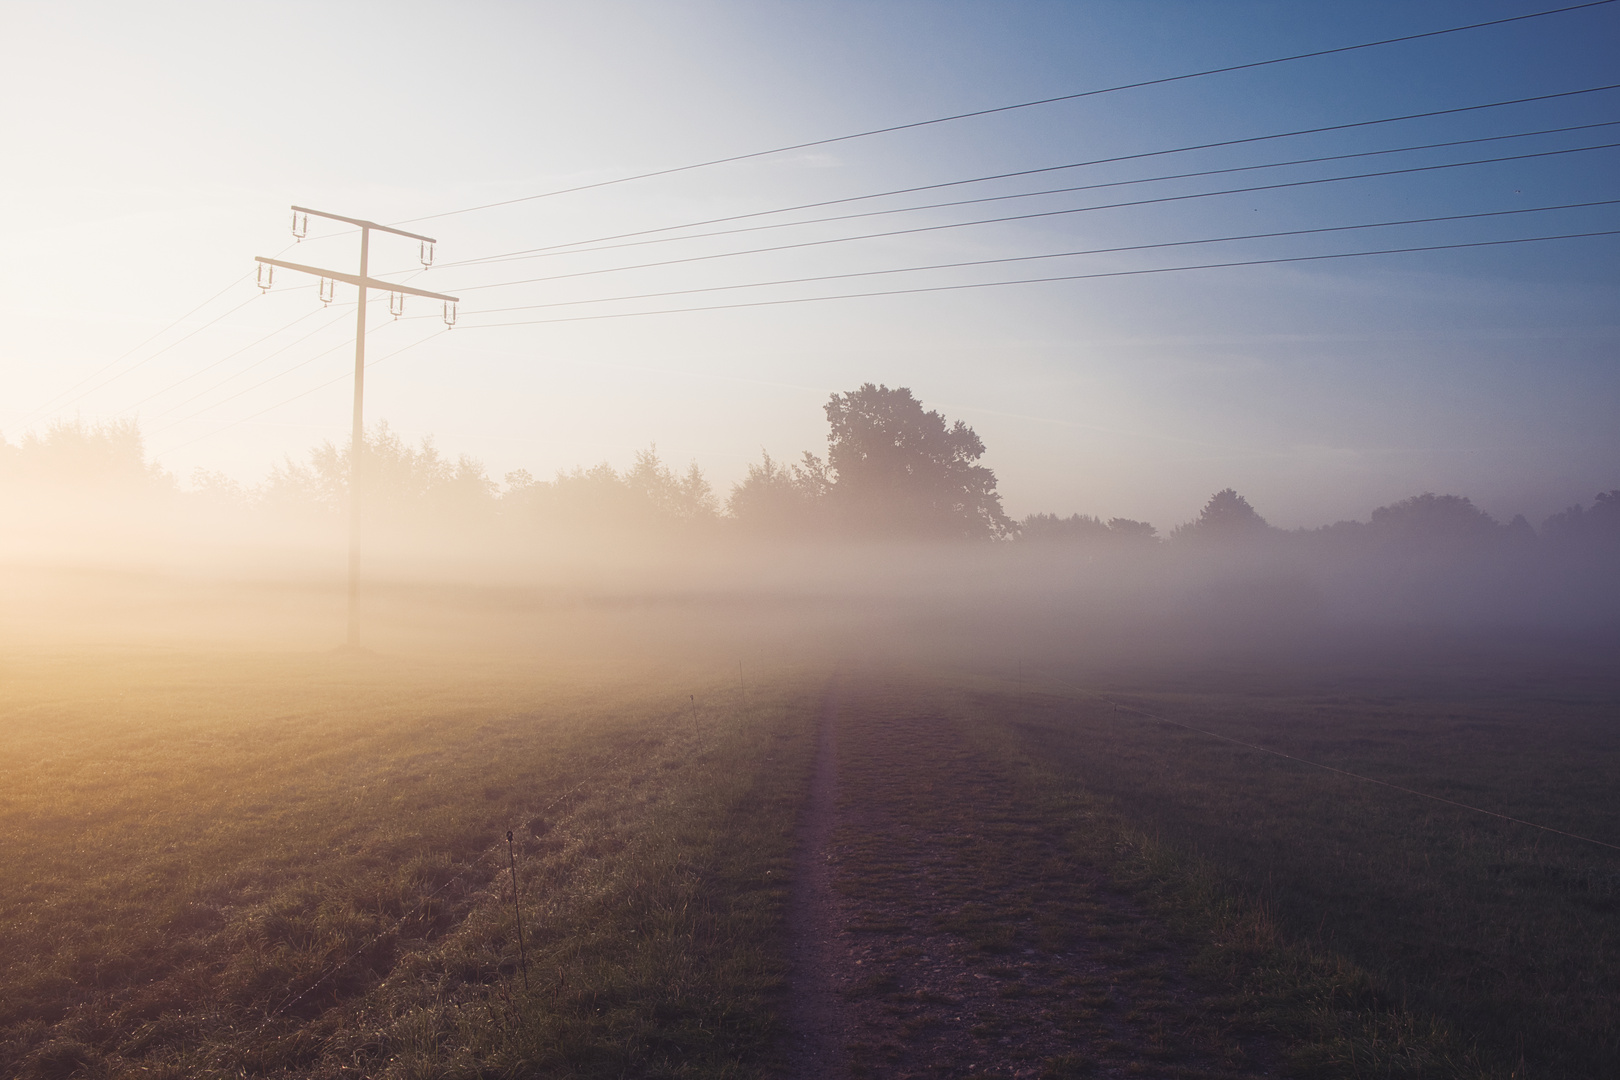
(1030, 104)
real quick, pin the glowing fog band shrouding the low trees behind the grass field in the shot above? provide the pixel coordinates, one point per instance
(103, 548)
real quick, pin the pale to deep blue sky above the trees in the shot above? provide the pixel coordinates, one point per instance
(153, 151)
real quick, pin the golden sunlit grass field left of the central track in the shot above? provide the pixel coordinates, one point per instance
(296, 867)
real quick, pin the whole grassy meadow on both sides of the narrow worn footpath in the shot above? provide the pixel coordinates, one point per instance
(294, 865)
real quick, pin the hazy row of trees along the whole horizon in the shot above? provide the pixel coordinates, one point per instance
(892, 470)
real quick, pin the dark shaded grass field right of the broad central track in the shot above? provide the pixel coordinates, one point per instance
(1507, 937)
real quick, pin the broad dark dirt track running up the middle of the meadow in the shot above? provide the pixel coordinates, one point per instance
(944, 930)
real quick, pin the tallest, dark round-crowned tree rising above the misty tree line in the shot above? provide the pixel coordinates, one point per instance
(903, 472)
